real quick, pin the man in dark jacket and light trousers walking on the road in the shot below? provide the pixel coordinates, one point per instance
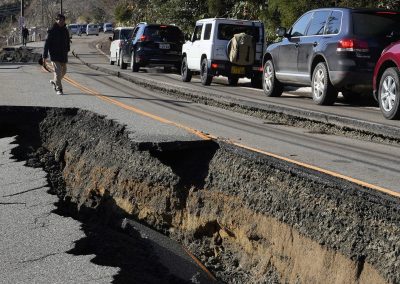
(58, 45)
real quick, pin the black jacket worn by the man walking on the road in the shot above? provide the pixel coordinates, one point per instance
(57, 44)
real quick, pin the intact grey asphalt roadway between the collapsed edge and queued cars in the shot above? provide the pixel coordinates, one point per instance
(373, 163)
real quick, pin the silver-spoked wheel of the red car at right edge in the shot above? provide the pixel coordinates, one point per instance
(389, 96)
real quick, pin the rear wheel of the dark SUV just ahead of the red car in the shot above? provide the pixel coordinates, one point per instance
(323, 92)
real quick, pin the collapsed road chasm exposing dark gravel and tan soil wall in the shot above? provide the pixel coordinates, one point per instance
(248, 217)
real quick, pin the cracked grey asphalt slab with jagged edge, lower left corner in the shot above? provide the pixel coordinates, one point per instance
(35, 241)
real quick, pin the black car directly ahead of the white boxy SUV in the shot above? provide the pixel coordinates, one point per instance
(153, 45)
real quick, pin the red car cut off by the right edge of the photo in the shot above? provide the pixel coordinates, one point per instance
(386, 81)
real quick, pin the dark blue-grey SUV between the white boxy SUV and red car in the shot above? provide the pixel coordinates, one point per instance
(331, 50)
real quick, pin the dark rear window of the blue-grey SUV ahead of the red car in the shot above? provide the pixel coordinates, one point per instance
(377, 24)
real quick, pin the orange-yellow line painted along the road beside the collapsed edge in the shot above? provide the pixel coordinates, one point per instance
(210, 137)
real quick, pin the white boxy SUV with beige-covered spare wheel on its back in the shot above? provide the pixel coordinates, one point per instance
(207, 51)
